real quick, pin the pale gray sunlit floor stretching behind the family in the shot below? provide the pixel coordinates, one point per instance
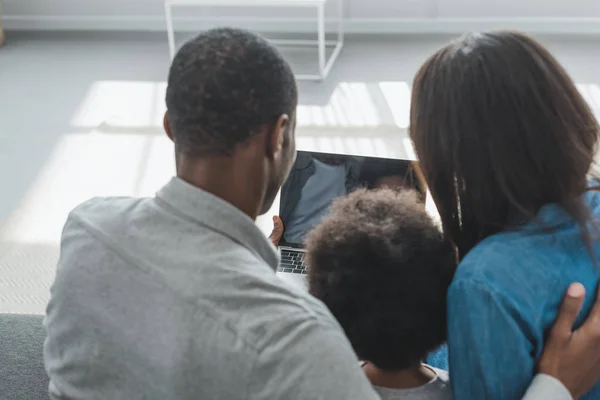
(80, 117)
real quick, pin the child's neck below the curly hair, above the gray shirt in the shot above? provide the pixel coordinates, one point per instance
(402, 379)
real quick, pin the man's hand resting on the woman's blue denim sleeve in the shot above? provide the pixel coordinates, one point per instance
(573, 357)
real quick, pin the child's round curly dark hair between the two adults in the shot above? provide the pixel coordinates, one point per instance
(383, 268)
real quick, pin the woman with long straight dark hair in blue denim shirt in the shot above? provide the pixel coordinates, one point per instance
(506, 142)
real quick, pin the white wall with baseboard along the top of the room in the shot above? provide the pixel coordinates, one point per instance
(361, 15)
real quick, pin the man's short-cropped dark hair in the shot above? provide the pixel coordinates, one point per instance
(224, 86)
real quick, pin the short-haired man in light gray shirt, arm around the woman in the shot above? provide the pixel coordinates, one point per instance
(175, 297)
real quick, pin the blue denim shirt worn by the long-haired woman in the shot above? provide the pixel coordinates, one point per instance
(504, 298)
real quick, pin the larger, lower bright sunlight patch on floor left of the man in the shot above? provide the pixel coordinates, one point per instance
(83, 166)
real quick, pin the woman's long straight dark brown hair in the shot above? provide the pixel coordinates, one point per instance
(500, 130)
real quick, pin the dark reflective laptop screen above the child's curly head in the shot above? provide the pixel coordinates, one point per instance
(317, 179)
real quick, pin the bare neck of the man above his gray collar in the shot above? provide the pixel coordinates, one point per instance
(224, 177)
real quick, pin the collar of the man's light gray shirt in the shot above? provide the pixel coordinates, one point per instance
(198, 205)
